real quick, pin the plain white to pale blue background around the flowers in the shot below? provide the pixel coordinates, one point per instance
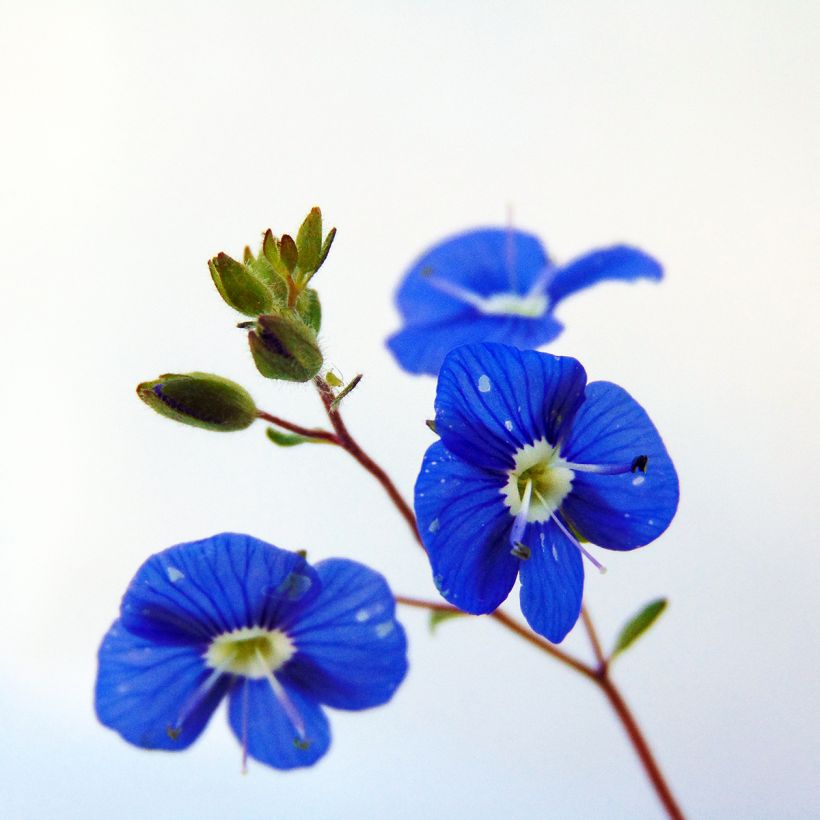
(138, 139)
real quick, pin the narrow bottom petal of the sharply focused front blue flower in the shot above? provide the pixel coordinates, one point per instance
(552, 582)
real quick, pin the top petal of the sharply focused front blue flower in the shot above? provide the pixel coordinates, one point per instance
(493, 399)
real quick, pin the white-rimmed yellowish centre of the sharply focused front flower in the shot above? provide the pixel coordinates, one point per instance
(539, 466)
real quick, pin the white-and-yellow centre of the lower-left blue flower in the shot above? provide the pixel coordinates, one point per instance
(252, 652)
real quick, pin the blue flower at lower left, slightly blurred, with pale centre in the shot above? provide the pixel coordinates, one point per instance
(232, 615)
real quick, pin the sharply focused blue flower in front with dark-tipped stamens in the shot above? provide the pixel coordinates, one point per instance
(531, 461)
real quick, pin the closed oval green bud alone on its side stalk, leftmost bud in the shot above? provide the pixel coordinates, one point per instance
(200, 399)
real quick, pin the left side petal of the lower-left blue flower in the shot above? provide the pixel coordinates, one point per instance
(143, 689)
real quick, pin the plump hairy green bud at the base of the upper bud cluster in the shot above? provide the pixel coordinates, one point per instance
(285, 348)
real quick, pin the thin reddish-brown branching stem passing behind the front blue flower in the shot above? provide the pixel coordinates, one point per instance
(598, 675)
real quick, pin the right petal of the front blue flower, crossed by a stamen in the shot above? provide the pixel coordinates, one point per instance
(619, 511)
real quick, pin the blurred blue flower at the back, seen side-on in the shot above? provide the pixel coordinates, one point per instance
(495, 285)
